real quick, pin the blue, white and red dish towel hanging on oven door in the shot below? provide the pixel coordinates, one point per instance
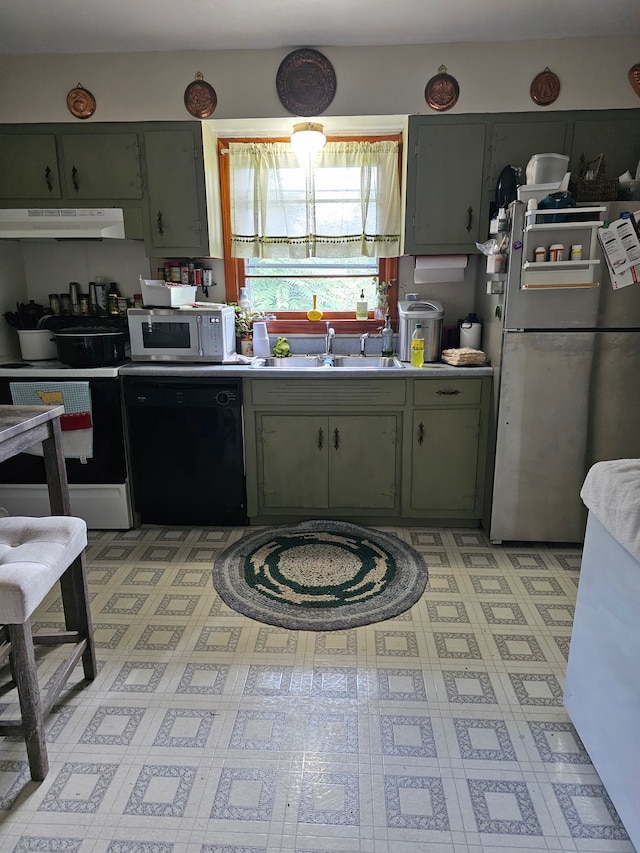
(77, 442)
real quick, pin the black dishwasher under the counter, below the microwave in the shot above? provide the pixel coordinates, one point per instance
(186, 450)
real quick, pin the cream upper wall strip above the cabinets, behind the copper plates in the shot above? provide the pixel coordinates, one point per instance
(370, 81)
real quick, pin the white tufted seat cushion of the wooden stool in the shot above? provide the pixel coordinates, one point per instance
(34, 554)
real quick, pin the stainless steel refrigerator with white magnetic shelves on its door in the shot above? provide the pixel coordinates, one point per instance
(568, 388)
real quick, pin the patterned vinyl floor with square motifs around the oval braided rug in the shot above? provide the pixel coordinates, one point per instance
(441, 730)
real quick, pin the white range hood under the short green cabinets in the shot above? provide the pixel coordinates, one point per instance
(90, 223)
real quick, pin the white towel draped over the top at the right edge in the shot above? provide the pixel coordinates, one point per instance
(611, 491)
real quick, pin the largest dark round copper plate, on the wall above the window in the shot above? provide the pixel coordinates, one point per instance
(306, 82)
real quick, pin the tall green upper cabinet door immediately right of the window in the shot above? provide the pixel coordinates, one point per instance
(444, 187)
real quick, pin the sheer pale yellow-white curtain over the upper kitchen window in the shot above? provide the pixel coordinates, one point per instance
(345, 204)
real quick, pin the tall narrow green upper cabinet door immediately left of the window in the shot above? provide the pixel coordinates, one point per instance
(176, 214)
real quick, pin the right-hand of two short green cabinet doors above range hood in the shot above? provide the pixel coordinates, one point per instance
(101, 166)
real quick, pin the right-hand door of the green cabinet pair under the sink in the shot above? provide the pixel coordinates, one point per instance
(362, 462)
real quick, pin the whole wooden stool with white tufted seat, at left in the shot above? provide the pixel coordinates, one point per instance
(35, 553)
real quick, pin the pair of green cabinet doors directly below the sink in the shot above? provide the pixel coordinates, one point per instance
(318, 462)
